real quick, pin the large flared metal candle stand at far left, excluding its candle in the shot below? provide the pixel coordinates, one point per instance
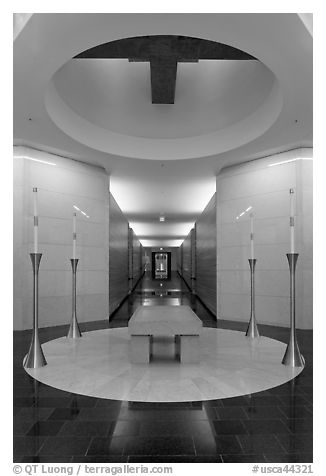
(35, 357)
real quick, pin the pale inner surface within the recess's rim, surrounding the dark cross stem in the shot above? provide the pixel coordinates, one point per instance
(115, 95)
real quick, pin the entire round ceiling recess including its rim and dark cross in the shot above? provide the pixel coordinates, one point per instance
(163, 97)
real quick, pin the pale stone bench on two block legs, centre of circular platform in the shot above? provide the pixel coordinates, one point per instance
(149, 322)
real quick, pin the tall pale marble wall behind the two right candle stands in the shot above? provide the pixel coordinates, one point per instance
(263, 189)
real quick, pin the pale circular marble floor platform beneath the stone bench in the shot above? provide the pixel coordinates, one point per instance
(98, 365)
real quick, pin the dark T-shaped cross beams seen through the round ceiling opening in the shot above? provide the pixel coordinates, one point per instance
(164, 52)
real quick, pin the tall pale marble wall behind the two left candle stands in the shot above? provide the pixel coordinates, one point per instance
(60, 187)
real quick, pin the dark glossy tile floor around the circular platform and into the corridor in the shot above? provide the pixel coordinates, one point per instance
(55, 426)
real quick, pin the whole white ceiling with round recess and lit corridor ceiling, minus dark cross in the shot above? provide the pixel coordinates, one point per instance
(163, 159)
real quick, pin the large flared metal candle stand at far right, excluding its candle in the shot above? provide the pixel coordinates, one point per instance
(292, 356)
